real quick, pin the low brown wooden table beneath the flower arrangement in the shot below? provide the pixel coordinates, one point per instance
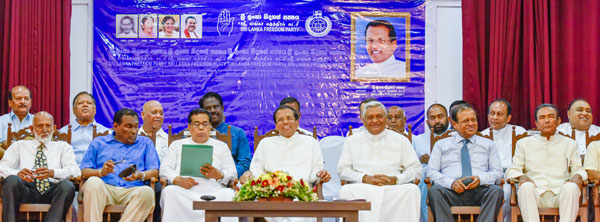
(215, 209)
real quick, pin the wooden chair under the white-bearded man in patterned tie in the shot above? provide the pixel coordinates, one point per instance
(36, 211)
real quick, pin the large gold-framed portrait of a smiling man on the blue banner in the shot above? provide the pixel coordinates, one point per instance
(380, 50)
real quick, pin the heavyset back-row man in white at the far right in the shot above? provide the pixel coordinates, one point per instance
(580, 119)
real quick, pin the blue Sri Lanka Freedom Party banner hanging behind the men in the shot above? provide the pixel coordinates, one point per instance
(255, 53)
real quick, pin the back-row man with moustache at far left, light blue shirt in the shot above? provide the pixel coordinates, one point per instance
(19, 101)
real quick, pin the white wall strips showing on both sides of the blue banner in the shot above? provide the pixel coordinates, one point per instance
(443, 66)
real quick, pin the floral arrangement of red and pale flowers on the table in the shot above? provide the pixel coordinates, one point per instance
(276, 184)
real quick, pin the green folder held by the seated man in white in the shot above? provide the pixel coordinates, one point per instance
(193, 157)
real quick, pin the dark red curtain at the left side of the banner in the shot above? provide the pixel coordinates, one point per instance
(34, 45)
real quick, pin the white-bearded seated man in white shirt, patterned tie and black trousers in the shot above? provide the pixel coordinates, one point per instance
(37, 171)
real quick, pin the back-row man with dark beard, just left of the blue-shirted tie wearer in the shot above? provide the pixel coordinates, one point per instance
(437, 121)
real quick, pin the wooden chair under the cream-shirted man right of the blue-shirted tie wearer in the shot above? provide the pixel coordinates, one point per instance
(553, 212)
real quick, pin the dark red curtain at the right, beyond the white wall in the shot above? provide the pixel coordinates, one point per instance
(530, 52)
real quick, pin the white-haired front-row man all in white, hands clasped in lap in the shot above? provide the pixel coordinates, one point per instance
(380, 165)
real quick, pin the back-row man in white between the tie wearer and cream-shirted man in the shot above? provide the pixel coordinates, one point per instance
(499, 114)
